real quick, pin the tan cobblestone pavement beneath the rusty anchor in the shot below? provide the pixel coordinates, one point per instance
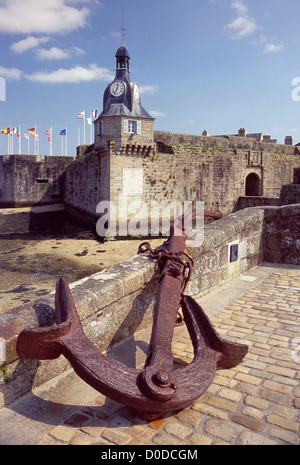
(255, 403)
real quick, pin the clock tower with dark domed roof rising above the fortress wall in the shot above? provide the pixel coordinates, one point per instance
(123, 122)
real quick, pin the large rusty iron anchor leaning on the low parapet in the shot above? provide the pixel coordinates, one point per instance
(157, 389)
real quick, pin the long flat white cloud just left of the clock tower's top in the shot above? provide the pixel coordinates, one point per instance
(72, 75)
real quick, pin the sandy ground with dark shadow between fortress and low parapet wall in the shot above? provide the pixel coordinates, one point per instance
(38, 245)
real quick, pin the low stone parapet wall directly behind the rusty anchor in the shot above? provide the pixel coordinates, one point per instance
(113, 303)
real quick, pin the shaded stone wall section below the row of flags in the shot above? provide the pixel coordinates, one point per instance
(27, 180)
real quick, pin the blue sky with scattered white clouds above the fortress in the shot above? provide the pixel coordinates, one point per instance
(217, 65)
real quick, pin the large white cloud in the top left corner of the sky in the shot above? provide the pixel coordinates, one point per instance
(42, 17)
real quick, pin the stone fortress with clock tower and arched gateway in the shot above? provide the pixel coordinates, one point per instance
(131, 164)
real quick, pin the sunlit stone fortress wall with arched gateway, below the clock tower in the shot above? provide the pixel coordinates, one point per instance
(179, 170)
